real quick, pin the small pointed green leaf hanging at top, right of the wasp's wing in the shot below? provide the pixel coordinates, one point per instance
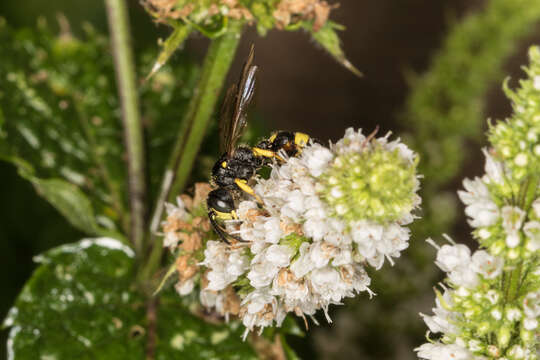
(327, 37)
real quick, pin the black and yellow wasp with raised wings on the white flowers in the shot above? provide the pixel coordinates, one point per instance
(238, 164)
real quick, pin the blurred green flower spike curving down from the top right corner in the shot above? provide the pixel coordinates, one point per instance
(446, 106)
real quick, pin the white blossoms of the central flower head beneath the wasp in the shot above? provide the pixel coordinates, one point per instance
(300, 254)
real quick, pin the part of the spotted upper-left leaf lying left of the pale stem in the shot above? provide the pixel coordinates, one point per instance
(58, 104)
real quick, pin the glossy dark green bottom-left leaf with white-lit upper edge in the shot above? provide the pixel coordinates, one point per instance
(80, 304)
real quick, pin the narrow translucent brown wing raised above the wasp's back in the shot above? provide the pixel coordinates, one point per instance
(234, 111)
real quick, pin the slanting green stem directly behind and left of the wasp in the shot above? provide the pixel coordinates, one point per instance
(215, 68)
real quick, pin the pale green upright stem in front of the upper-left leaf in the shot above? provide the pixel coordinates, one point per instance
(133, 132)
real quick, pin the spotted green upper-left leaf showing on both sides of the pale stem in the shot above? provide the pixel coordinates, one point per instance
(60, 121)
